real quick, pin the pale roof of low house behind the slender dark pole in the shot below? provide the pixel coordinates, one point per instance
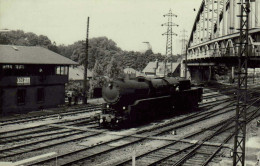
(77, 73)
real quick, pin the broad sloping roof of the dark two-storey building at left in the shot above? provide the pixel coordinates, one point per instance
(31, 55)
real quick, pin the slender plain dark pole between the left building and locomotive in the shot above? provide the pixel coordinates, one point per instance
(85, 96)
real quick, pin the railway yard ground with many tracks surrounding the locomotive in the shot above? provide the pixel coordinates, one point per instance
(73, 137)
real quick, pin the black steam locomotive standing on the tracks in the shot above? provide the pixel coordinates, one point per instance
(134, 100)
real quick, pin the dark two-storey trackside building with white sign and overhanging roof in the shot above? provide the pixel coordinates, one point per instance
(31, 78)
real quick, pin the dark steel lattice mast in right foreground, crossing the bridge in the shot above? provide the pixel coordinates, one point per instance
(241, 108)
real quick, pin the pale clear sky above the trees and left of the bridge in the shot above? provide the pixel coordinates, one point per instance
(127, 22)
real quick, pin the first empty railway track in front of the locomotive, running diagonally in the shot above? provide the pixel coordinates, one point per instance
(130, 139)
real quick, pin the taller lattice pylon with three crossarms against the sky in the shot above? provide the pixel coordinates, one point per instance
(169, 34)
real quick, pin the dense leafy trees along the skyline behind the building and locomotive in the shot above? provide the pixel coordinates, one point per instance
(105, 58)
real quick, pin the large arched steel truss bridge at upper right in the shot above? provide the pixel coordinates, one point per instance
(214, 39)
